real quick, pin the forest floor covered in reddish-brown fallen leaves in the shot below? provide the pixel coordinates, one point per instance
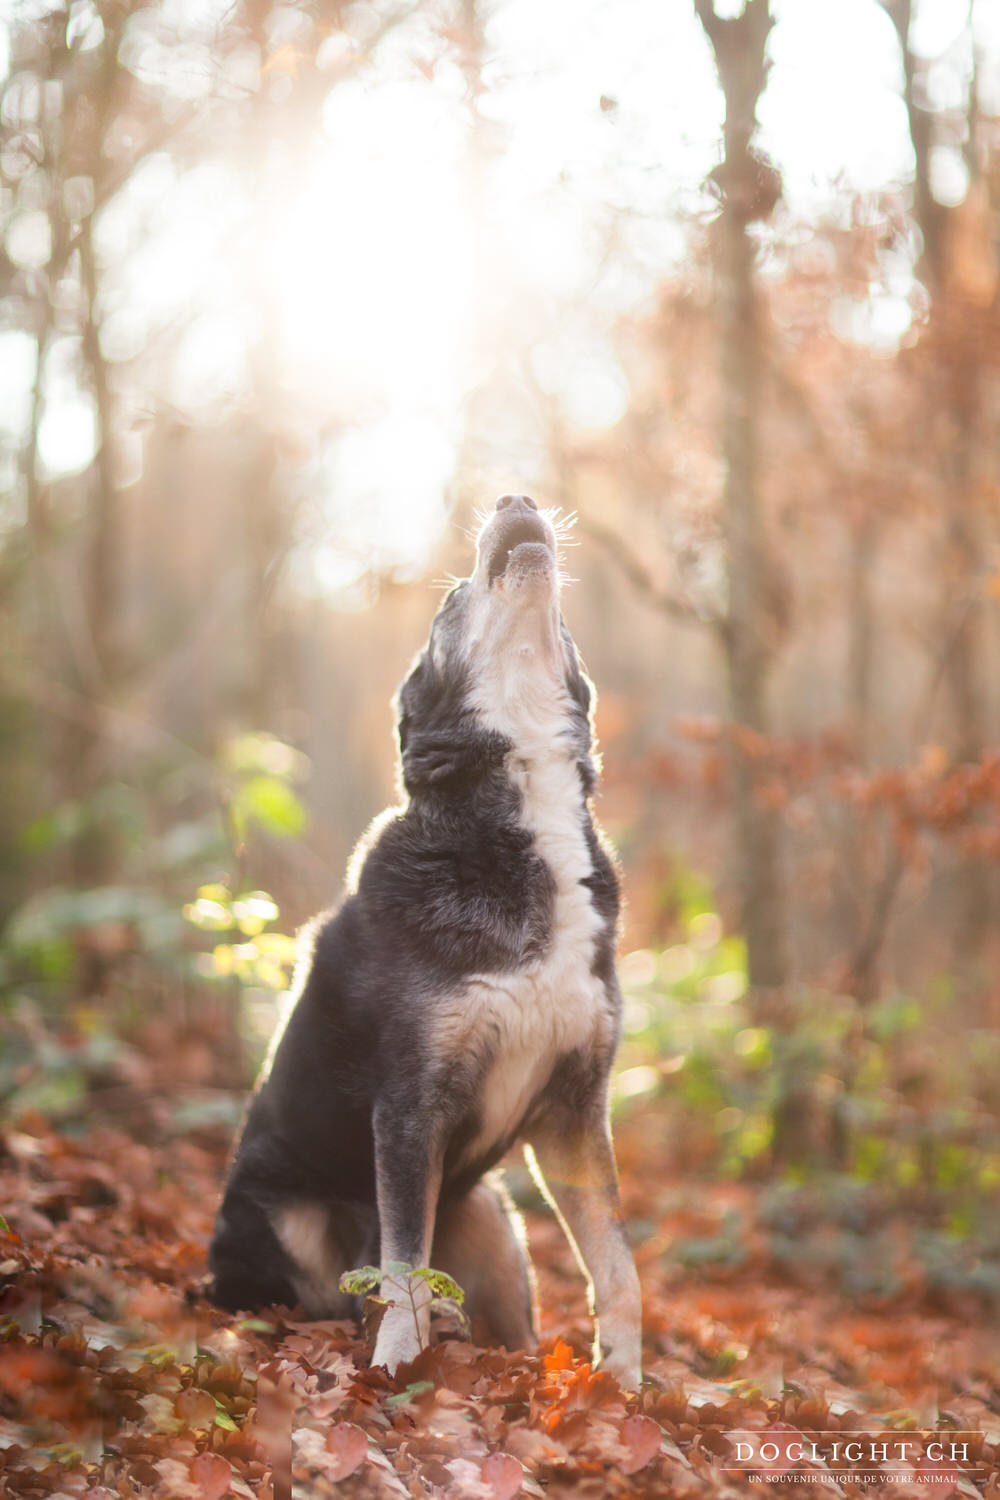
(118, 1381)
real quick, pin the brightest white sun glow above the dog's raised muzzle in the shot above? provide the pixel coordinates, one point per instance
(373, 259)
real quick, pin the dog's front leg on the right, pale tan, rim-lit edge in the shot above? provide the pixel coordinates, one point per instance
(573, 1163)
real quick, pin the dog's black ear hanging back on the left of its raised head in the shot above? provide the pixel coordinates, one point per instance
(440, 742)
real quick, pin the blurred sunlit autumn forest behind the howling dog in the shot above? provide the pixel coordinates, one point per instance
(287, 292)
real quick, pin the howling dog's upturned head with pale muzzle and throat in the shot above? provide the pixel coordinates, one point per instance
(500, 668)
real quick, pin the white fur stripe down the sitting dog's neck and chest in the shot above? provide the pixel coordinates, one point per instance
(522, 1022)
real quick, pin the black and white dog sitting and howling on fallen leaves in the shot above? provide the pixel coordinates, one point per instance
(463, 998)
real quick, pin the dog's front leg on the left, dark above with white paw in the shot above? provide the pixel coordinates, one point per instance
(407, 1180)
